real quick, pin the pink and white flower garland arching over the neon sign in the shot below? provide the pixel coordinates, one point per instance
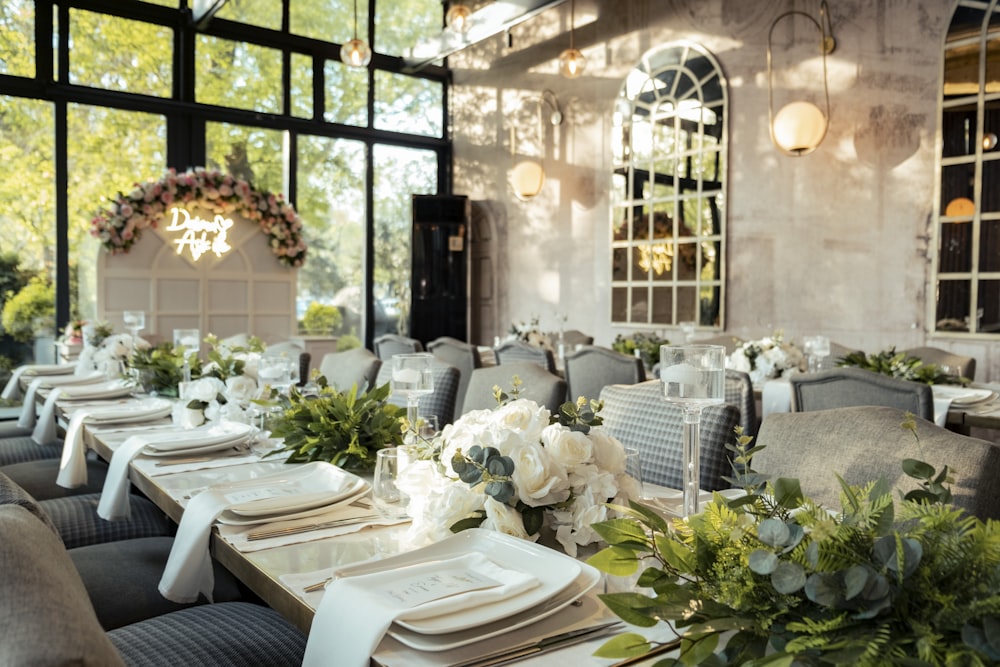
(120, 224)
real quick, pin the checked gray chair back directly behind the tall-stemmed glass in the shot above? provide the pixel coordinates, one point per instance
(640, 417)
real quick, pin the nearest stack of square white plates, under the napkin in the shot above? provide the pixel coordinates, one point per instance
(561, 580)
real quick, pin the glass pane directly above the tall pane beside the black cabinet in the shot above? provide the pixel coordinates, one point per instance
(408, 104)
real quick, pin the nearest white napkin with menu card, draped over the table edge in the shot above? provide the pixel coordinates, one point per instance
(356, 612)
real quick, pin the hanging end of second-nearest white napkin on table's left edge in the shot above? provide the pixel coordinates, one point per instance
(188, 571)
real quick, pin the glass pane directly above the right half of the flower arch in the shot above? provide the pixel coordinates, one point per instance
(253, 154)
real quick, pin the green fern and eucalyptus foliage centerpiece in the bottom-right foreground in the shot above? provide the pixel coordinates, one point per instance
(910, 582)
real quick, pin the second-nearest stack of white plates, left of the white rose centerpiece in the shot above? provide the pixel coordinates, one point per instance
(303, 491)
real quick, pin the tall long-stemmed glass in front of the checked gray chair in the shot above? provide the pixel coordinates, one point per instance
(694, 377)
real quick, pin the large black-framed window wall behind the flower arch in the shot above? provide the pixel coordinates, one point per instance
(95, 96)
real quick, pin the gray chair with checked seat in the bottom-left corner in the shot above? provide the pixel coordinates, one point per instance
(48, 618)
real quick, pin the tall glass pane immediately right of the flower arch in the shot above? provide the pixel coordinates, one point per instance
(331, 199)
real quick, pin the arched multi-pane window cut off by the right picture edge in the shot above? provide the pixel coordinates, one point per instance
(966, 275)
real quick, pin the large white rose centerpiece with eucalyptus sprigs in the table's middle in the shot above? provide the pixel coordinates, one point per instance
(517, 469)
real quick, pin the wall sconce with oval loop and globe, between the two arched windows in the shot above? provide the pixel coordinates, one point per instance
(799, 127)
